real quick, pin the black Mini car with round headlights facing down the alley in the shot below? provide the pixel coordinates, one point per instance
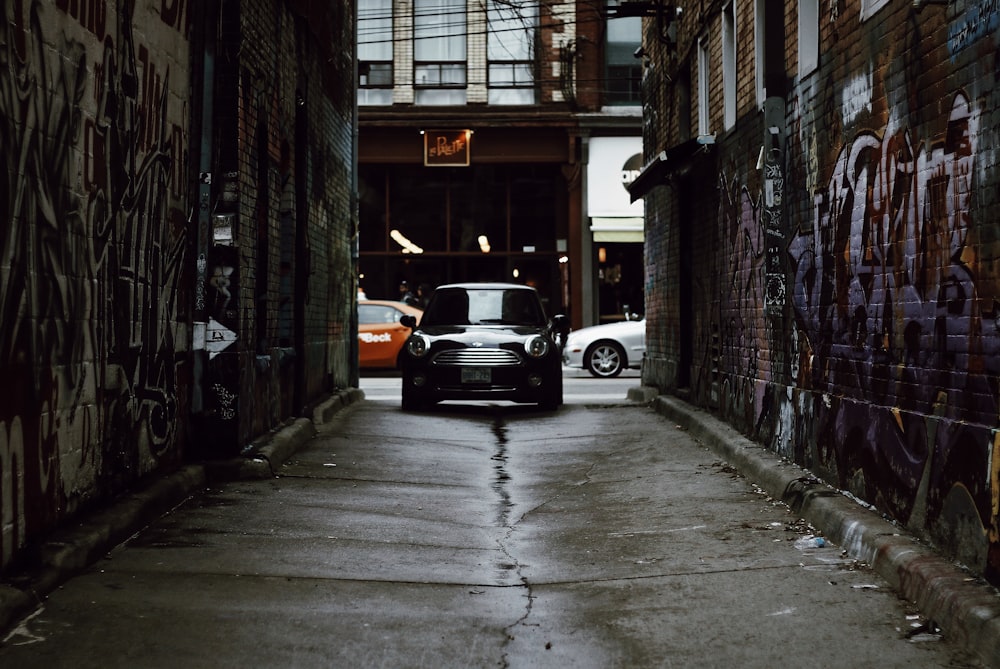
(487, 341)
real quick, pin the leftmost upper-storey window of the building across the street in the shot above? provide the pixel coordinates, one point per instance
(375, 74)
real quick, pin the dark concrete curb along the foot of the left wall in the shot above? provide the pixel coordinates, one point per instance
(71, 550)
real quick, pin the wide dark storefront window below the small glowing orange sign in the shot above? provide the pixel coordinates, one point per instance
(434, 225)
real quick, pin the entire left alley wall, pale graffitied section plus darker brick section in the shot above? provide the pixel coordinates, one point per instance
(175, 276)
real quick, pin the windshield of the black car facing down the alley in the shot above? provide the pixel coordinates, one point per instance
(484, 306)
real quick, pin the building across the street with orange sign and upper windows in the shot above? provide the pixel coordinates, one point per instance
(488, 133)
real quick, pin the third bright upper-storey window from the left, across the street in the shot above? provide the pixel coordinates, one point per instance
(510, 50)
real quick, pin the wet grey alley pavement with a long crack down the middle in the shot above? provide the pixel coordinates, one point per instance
(606, 534)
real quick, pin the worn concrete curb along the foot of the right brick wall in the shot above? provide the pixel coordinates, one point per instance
(965, 609)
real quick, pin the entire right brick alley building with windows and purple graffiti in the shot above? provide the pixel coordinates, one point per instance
(820, 196)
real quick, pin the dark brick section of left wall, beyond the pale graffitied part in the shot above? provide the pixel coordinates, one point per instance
(284, 287)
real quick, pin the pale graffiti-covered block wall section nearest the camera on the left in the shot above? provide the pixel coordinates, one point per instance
(93, 338)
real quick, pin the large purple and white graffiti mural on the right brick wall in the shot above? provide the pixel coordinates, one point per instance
(899, 313)
